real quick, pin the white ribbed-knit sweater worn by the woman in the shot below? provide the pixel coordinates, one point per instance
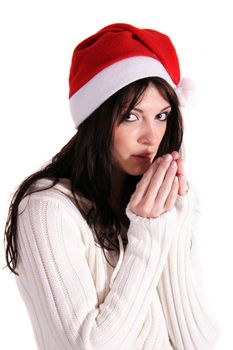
(151, 300)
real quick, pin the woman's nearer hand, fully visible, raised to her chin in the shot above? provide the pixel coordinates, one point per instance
(157, 191)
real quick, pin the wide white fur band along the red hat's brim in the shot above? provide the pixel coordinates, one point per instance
(110, 80)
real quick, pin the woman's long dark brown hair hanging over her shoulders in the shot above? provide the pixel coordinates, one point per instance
(86, 161)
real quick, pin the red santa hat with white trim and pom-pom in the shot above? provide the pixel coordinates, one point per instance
(116, 56)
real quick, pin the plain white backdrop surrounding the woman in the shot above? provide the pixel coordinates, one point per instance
(37, 40)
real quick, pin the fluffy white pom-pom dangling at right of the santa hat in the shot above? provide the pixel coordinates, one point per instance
(186, 92)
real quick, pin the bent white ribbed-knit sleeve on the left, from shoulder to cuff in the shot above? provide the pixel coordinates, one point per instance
(55, 275)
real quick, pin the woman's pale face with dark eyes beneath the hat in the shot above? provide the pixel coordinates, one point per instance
(136, 140)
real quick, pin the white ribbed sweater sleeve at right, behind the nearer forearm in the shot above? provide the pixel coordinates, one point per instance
(188, 316)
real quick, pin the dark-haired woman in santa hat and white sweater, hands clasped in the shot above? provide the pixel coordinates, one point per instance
(103, 239)
